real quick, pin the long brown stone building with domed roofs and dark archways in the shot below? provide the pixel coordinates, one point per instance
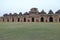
(32, 16)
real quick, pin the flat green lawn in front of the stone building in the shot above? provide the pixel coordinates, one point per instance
(29, 31)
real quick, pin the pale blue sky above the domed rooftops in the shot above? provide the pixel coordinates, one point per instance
(12, 6)
